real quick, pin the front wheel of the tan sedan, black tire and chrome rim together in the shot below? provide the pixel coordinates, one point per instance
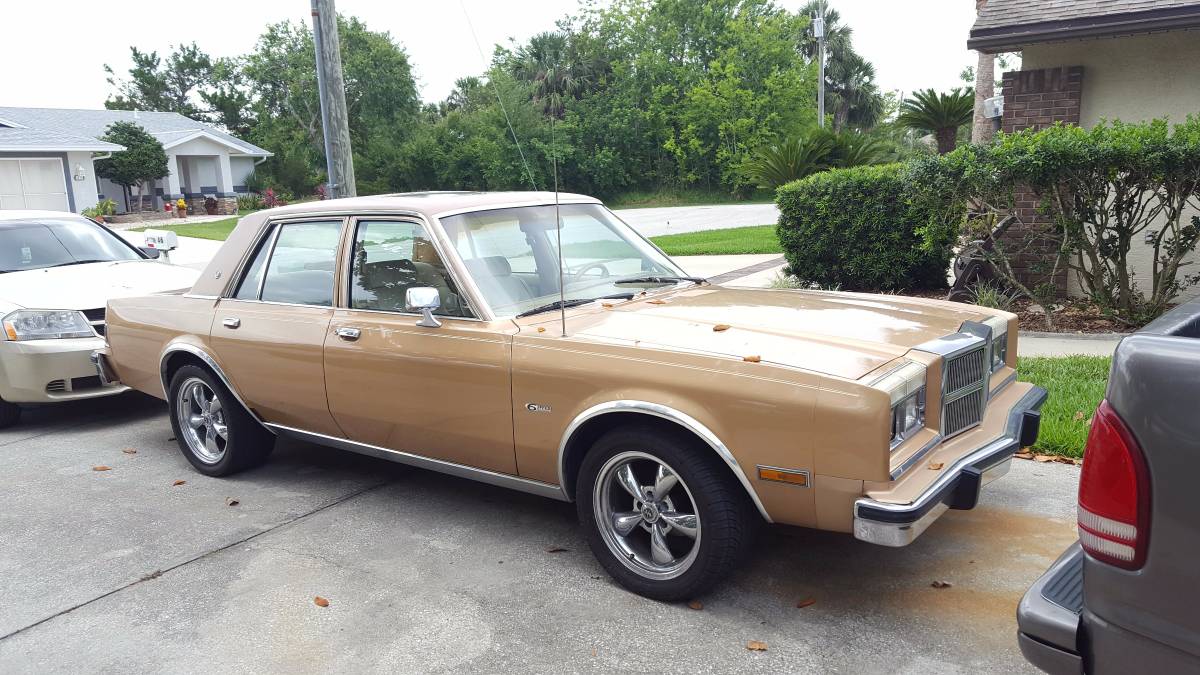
(662, 515)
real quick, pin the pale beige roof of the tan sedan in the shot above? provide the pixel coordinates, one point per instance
(434, 205)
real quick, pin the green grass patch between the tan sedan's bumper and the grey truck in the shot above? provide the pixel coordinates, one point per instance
(1076, 386)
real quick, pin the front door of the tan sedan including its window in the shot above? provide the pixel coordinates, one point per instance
(443, 392)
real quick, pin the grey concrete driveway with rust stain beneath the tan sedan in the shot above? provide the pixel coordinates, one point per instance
(121, 571)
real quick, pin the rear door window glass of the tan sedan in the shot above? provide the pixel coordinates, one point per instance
(299, 266)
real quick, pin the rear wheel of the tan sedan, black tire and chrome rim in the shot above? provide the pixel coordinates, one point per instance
(212, 428)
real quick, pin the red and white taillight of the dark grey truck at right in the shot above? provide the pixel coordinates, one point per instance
(1114, 494)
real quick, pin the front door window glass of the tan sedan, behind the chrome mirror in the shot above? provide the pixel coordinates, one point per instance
(389, 259)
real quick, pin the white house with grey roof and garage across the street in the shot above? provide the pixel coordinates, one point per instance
(46, 160)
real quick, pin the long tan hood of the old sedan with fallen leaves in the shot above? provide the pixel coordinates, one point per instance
(839, 334)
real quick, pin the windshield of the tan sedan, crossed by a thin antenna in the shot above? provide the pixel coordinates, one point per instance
(513, 256)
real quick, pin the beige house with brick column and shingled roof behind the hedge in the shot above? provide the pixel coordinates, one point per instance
(1090, 61)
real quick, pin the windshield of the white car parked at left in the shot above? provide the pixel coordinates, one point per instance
(59, 242)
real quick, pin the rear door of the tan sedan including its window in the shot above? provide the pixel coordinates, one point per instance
(269, 333)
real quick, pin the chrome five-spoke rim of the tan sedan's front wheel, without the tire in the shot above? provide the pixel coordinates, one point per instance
(647, 516)
